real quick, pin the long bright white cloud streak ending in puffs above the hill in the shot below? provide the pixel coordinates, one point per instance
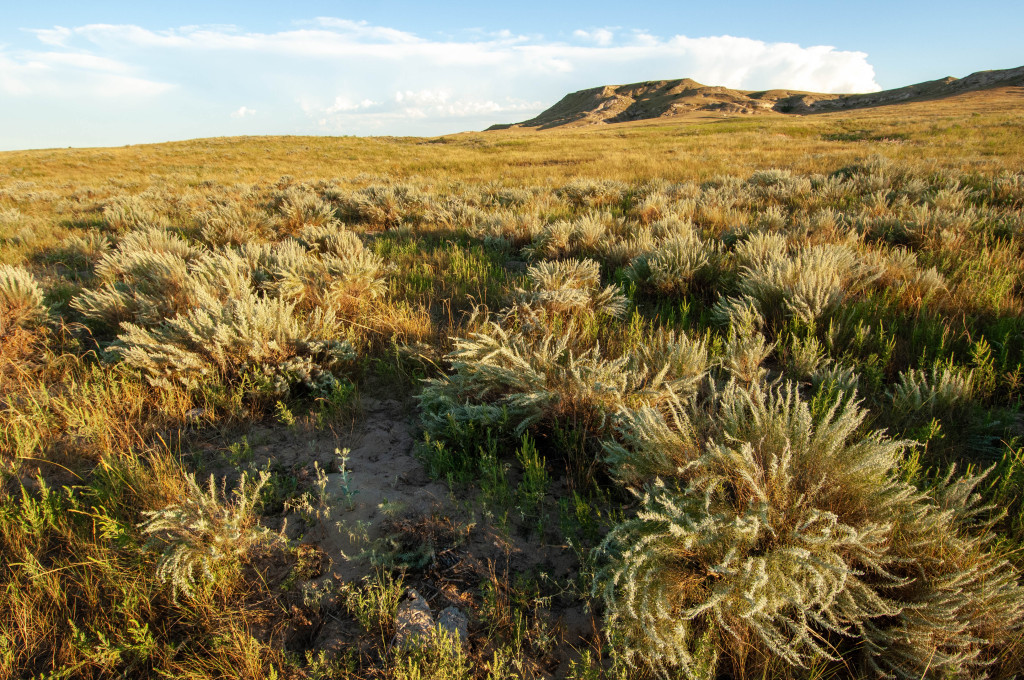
(747, 63)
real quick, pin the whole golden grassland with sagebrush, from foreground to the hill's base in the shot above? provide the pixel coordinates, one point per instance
(707, 399)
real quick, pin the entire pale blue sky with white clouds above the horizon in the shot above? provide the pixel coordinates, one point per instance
(103, 74)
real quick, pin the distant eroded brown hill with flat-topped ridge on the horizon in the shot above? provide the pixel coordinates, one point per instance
(618, 104)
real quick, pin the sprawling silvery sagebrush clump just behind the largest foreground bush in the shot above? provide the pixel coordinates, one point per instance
(543, 378)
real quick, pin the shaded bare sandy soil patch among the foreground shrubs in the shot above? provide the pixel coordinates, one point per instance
(383, 509)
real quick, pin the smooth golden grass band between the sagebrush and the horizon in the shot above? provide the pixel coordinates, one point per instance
(976, 133)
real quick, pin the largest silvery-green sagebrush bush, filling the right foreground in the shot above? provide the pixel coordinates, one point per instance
(788, 533)
